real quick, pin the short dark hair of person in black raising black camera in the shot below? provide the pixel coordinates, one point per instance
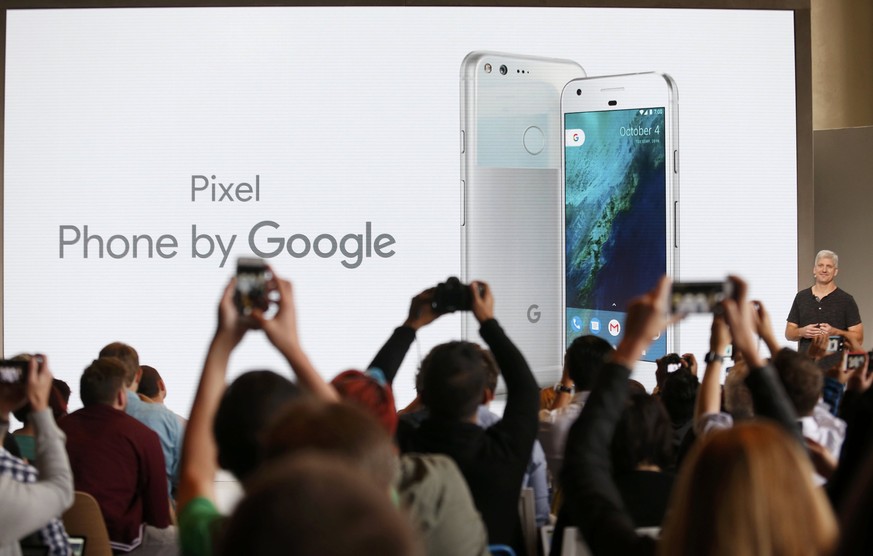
(452, 379)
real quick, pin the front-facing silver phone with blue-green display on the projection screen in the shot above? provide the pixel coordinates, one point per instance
(620, 200)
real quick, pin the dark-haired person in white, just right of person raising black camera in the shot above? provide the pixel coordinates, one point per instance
(582, 361)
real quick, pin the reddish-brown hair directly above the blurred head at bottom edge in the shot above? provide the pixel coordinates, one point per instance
(340, 430)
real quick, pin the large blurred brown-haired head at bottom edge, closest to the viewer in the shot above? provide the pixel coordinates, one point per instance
(316, 505)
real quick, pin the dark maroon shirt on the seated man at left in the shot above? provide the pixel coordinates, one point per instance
(119, 461)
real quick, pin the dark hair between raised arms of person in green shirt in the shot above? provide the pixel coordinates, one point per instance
(247, 408)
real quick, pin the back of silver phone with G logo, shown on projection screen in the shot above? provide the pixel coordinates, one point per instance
(511, 191)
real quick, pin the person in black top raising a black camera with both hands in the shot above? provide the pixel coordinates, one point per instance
(451, 384)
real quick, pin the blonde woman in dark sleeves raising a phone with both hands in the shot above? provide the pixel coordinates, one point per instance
(745, 490)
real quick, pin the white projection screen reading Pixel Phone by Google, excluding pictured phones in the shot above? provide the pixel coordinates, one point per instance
(344, 123)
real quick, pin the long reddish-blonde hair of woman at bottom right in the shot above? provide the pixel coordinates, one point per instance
(748, 490)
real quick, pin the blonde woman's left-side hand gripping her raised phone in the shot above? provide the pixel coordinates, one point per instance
(646, 318)
